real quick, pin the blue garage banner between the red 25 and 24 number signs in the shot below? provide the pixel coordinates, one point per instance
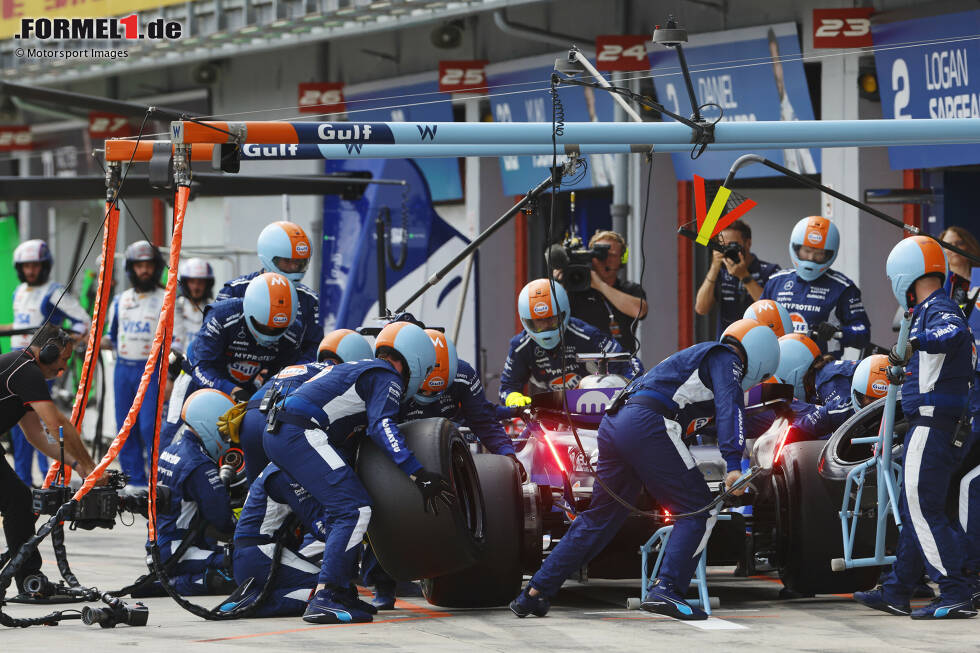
(519, 92)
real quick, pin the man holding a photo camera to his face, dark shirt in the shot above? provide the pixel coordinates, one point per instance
(736, 277)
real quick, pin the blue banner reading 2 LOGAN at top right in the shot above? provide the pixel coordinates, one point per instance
(924, 72)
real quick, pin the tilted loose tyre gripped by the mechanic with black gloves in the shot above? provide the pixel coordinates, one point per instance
(409, 542)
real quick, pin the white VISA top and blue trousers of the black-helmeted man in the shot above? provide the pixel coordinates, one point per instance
(133, 318)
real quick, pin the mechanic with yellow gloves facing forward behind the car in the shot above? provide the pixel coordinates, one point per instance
(535, 356)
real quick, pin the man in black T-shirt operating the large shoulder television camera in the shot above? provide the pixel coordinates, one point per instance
(608, 303)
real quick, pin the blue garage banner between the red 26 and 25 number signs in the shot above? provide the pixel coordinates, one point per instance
(425, 104)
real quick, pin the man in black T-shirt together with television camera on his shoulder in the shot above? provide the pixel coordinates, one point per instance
(596, 293)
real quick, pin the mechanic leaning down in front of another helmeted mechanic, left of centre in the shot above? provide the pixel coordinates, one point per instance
(242, 343)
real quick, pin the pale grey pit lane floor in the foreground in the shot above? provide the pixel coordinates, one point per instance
(584, 617)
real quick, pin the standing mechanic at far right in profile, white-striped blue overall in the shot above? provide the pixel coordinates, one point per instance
(936, 372)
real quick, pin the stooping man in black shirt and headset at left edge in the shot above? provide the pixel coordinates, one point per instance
(26, 400)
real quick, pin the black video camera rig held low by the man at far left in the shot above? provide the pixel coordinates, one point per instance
(98, 508)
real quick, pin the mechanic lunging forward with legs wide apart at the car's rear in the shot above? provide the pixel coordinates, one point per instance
(640, 445)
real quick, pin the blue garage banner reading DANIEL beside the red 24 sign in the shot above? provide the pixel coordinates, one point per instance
(751, 74)
